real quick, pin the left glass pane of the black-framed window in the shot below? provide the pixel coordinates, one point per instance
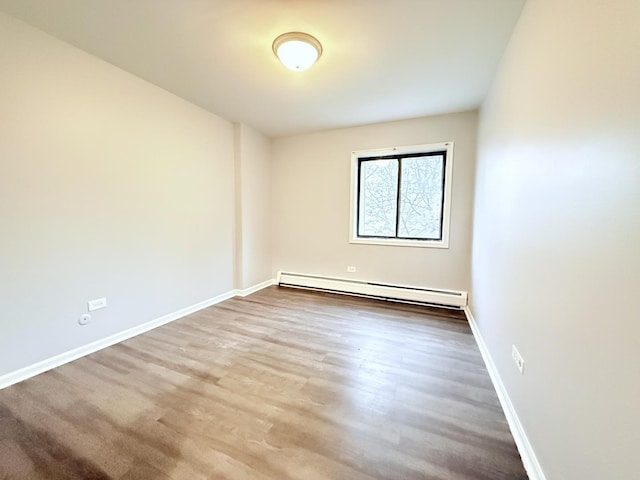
(378, 198)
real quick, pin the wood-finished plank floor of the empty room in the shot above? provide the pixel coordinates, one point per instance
(283, 384)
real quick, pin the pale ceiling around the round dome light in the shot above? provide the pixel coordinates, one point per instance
(383, 60)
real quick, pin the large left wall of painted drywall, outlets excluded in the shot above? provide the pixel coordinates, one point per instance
(109, 187)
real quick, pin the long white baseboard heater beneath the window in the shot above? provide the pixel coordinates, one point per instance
(427, 296)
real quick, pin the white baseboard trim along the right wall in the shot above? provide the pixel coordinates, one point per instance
(529, 458)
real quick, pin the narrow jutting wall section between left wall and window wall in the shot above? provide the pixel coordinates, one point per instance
(253, 207)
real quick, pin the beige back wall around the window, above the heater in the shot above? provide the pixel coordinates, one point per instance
(311, 177)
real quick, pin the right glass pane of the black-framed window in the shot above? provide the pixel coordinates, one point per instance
(421, 197)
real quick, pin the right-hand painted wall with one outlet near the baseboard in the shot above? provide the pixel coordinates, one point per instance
(556, 244)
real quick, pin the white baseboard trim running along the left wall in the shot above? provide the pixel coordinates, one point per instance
(58, 360)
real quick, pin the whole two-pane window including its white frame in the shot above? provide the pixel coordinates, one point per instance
(402, 196)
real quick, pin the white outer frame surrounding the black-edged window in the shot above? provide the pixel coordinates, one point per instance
(446, 206)
